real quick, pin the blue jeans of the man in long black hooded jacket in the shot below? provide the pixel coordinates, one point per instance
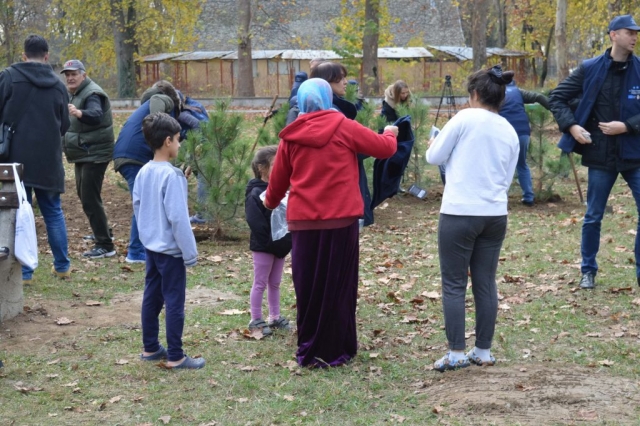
(51, 209)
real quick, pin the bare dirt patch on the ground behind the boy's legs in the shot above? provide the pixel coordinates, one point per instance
(36, 328)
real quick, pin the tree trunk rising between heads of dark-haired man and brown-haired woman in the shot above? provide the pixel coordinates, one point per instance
(371, 82)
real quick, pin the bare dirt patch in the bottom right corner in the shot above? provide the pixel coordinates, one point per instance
(550, 394)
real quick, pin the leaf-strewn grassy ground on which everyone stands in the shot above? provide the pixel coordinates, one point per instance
(565, 356)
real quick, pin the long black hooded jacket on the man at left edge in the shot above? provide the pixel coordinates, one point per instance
(37, 141)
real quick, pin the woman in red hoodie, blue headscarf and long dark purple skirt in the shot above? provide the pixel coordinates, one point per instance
(317, 159)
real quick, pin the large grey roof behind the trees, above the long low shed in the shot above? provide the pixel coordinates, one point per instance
(307, 25)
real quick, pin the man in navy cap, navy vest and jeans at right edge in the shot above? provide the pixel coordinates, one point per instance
(605, 130)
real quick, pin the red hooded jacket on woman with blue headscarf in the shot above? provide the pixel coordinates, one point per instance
(317, 158)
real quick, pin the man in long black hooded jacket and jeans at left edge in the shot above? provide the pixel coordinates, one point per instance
(37, 140)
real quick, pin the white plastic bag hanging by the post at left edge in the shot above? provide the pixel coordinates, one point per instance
(26, 242)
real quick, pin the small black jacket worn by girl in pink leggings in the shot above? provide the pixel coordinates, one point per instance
(259, 219)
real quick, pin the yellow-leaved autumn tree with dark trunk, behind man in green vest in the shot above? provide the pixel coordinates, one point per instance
(110, 34)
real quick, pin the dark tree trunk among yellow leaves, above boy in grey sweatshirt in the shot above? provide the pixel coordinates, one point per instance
(124, 35)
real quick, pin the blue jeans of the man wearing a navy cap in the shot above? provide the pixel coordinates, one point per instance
(598, 190)
